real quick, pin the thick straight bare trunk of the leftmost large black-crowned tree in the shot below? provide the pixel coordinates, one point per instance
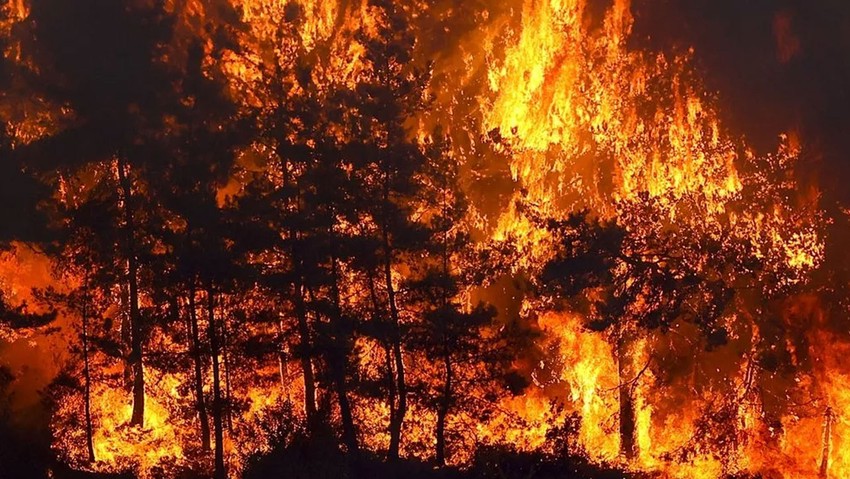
(138, 416)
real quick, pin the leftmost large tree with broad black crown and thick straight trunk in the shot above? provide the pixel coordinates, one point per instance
(99, 58)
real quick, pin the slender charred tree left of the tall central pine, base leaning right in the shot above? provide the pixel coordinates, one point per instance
(277, 199)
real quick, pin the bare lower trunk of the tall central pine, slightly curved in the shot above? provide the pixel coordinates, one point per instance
(397, 420)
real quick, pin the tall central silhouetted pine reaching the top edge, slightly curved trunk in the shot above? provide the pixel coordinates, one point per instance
(390, 168)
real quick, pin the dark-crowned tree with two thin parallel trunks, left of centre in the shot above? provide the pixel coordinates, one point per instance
(200, 149)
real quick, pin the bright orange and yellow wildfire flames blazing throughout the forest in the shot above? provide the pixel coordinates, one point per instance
(586, 123)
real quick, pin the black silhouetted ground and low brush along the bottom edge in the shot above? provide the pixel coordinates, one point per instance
(26, 454)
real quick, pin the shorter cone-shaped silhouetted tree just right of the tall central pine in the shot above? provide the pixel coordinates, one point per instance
(468, 354)
